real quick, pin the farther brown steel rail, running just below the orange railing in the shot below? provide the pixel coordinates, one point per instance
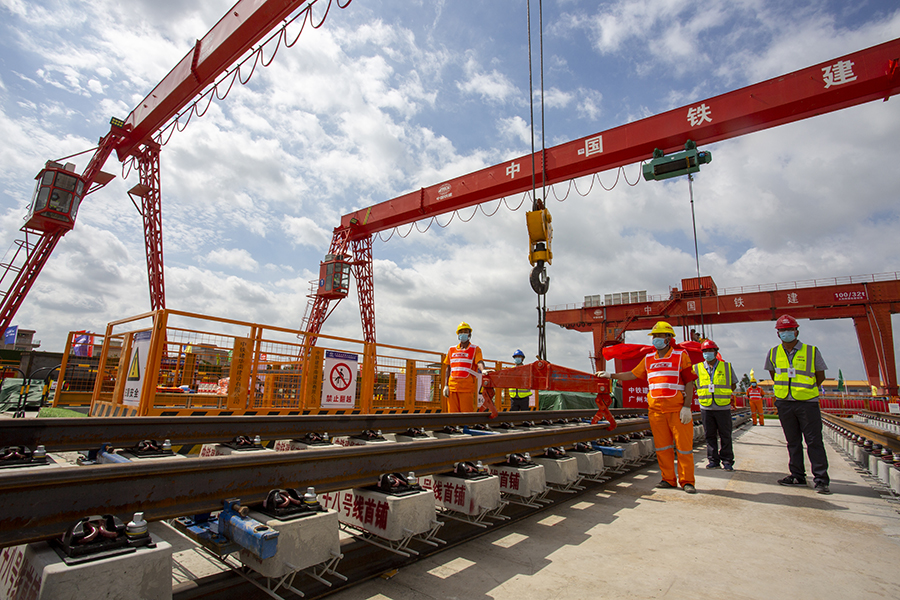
(57, 435)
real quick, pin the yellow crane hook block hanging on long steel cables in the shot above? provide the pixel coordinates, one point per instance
(540, 231)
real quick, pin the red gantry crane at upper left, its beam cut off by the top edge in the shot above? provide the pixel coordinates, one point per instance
(60, 189)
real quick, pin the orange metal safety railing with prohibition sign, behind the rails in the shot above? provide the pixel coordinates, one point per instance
(170, 362)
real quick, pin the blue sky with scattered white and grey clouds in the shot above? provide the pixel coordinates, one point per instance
(389, 96)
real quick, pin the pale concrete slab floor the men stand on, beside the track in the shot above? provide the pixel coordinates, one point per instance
(742, 536)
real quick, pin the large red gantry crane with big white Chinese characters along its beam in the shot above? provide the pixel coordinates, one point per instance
(864, 76)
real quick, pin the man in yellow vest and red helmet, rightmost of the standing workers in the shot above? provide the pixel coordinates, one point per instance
(797, 371)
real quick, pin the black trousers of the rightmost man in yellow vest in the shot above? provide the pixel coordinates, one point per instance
(802, 421)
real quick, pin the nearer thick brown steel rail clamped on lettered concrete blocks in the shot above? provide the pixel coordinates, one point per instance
(40, 503)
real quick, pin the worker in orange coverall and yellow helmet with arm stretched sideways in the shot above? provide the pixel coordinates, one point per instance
(670, 381)
